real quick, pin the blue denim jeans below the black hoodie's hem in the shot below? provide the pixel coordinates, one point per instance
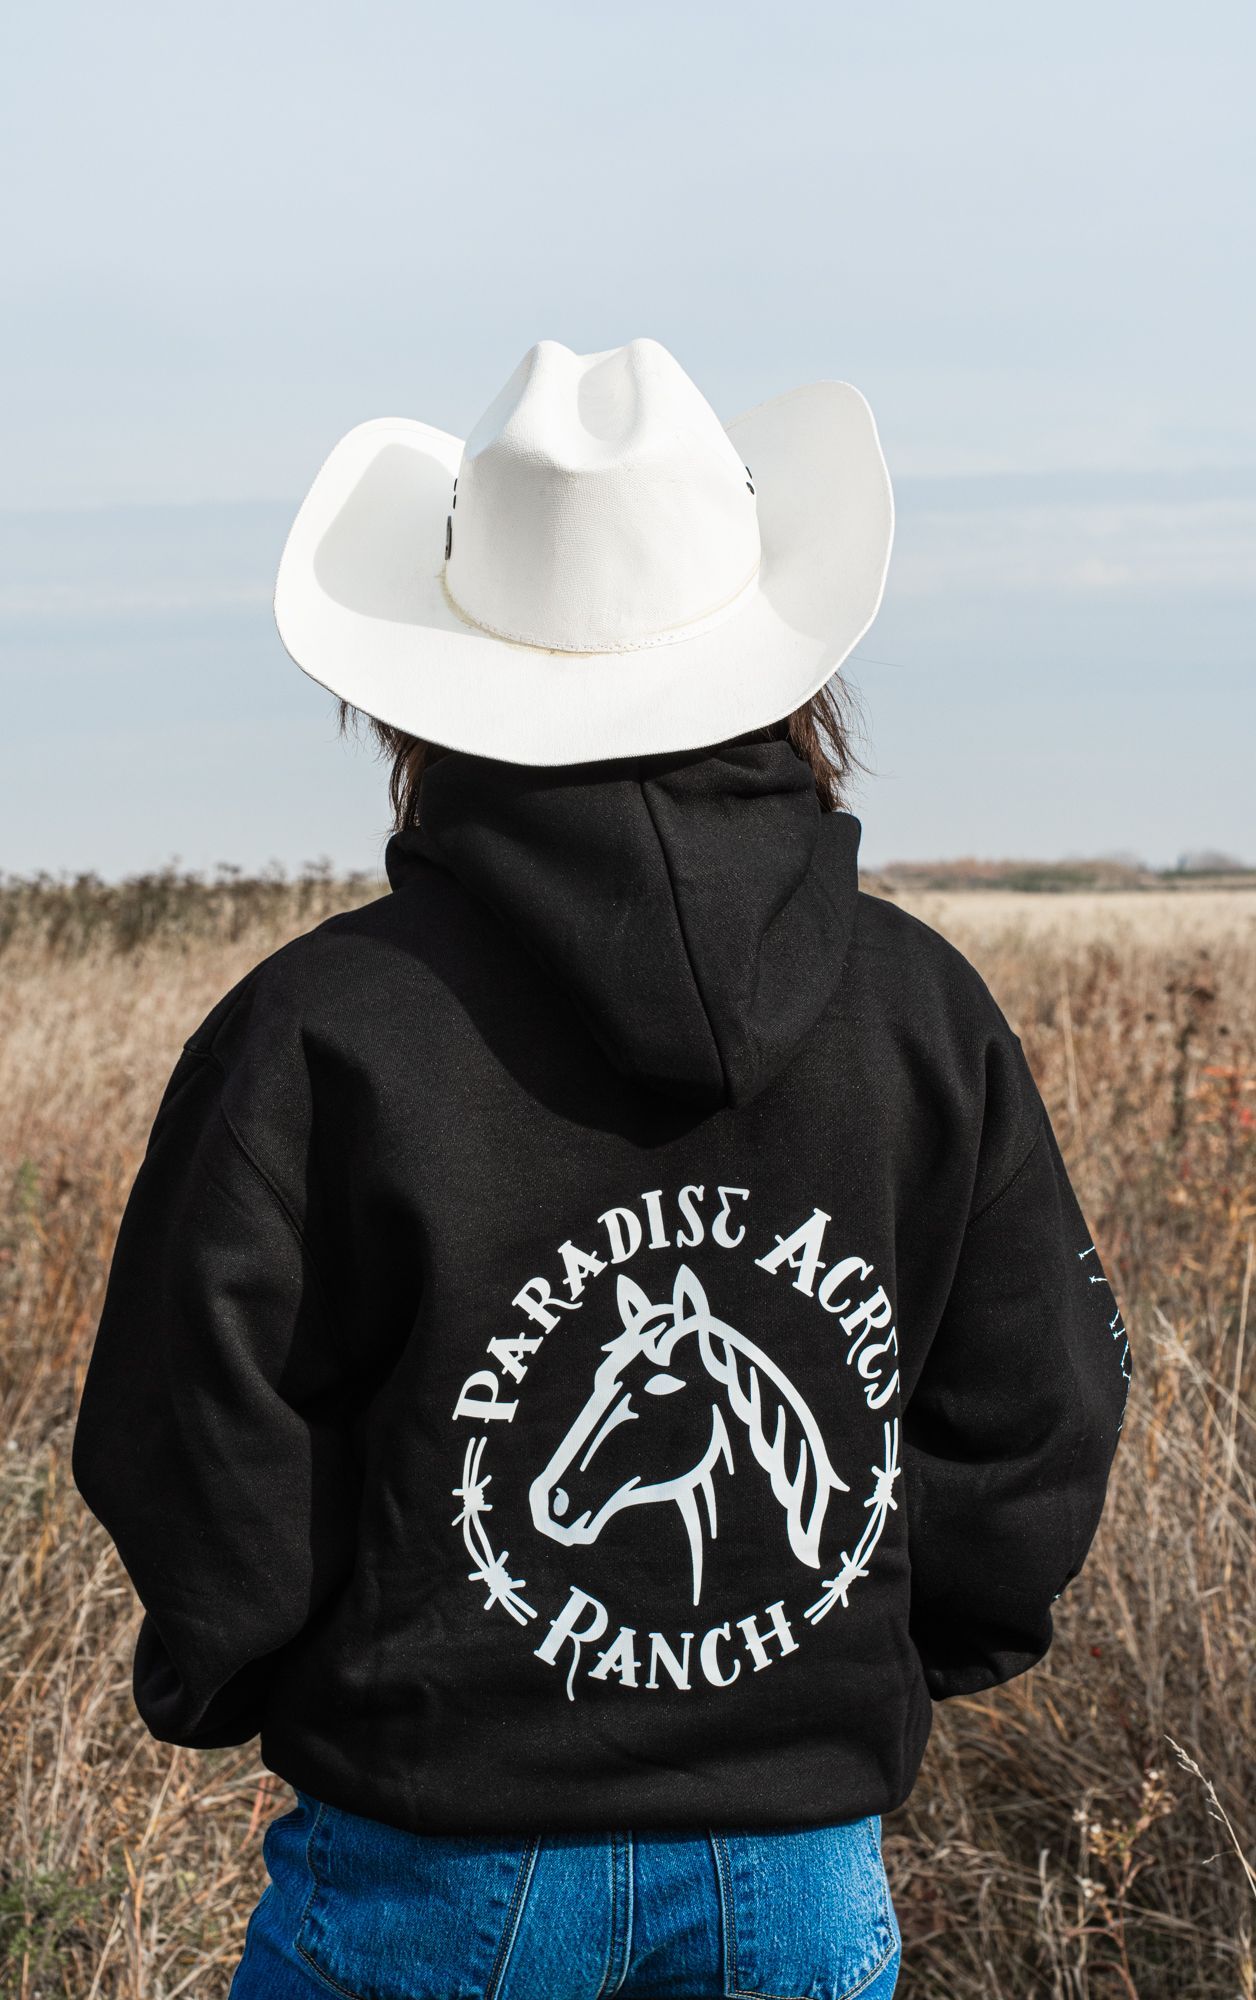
(373, 1913)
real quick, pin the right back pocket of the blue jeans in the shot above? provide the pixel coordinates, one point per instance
(807, 1915)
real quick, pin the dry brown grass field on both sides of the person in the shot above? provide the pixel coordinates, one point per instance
(1087, 1831)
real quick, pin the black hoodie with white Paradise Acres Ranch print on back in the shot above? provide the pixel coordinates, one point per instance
(601, 1335)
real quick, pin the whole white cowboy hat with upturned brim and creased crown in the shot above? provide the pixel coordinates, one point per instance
(599, 571)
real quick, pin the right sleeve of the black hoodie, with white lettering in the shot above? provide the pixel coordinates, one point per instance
(1011, 1429)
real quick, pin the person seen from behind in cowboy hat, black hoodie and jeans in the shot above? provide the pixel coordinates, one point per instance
(603, 1337)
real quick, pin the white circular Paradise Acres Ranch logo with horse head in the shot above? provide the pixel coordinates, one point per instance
(667, 1413)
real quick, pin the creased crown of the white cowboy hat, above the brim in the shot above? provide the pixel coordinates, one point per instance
(601, 505)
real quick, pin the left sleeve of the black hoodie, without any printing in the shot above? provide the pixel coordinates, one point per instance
(207, 1439)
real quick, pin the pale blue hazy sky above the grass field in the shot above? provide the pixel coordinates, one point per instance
(1027, 235)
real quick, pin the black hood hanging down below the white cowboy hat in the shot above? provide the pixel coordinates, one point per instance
(695, 907)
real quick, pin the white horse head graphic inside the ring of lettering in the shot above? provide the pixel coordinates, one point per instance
(621, 1451)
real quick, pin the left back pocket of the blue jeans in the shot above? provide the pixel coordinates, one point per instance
(391, 1915)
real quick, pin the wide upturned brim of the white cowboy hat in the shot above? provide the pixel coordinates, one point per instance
(361, 601)
